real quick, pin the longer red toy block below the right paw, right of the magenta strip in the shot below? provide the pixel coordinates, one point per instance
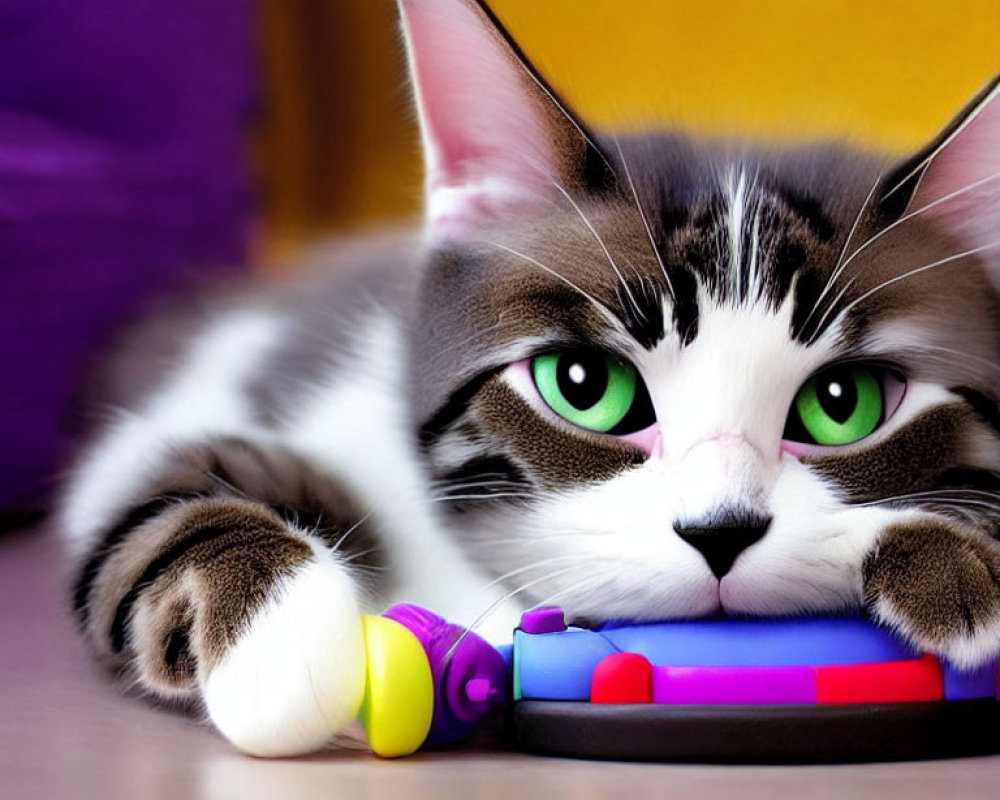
(913, 681)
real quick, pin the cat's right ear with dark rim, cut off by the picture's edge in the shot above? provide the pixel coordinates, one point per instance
(955, 180)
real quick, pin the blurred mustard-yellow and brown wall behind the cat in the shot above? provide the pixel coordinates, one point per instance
(338, 143)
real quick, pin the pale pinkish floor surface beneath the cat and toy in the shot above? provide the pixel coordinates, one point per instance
(65, 732)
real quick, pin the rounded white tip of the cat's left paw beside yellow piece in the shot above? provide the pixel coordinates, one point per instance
(297, 675)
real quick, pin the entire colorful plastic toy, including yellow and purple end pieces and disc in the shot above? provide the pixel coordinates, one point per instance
(797, 689)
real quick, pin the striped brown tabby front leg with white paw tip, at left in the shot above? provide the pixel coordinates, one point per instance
(246, 607)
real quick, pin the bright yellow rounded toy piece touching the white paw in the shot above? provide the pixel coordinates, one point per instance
(399, 690)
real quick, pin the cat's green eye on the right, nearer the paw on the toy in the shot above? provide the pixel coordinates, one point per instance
(838, 406)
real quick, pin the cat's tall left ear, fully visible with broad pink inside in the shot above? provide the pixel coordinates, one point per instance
(495, 136)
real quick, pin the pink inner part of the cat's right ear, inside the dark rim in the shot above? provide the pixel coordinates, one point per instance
(968, 167)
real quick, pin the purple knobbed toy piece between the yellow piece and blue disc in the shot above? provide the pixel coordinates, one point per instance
(469, 675)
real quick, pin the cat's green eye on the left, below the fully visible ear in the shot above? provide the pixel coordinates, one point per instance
(593, 391)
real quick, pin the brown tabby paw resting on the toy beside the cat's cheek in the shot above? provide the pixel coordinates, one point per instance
(940, 588)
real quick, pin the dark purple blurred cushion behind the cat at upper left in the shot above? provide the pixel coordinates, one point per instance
(122, 167)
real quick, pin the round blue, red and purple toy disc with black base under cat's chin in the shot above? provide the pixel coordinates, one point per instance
(796, 689)
